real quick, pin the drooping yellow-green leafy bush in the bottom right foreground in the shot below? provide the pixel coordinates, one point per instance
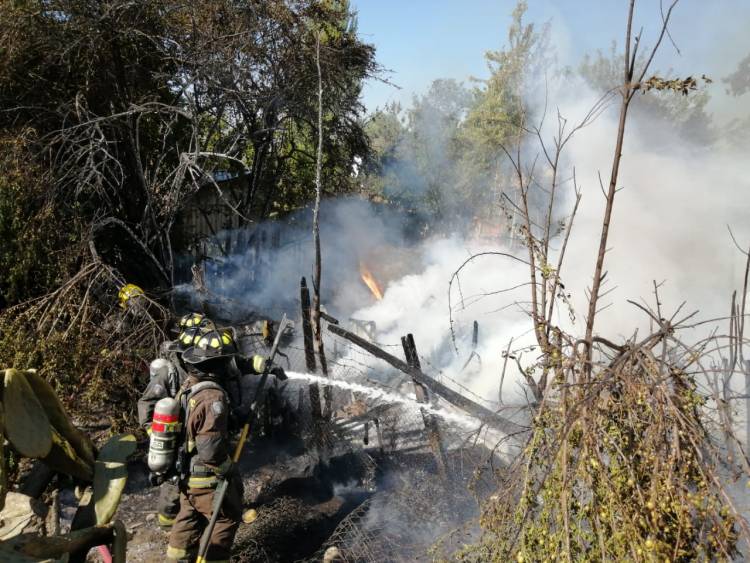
(617, 470)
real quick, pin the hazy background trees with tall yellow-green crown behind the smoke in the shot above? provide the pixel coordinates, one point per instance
(443, 157)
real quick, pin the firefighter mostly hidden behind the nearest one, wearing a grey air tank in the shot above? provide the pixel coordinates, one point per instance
(167, 376)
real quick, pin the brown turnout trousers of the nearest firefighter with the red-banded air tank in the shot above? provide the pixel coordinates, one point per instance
(192, 519)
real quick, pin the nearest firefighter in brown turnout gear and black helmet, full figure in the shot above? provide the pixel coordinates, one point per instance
(205, 458)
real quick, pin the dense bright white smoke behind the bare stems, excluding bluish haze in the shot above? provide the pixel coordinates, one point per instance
(670, 226)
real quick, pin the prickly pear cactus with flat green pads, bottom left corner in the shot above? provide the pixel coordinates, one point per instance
(37, 426)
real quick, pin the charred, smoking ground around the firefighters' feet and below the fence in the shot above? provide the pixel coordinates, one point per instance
(303, 502)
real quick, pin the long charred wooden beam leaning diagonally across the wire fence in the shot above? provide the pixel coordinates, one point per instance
(456, 399)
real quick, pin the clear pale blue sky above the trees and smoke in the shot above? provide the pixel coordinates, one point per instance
(421, 40)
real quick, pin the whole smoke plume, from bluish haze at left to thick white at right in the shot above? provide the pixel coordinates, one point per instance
(669, 227)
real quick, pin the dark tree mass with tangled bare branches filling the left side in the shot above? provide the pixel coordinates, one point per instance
(116, 110)
